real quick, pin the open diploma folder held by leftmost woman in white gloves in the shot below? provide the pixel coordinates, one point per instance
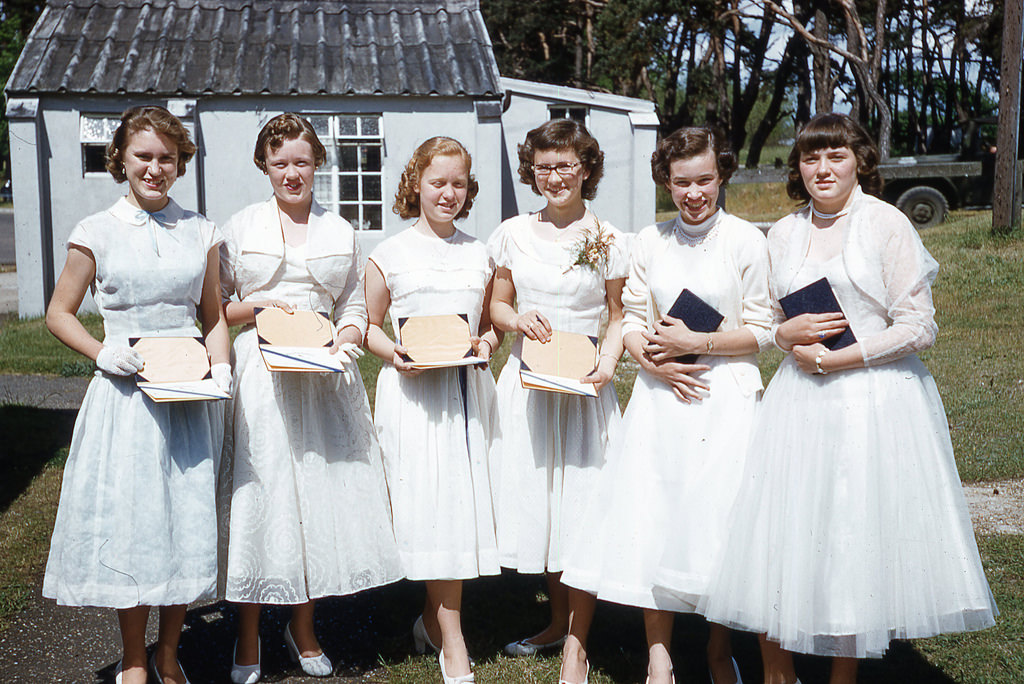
(177, 370)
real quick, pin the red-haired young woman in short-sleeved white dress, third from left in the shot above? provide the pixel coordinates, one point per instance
(437, 426)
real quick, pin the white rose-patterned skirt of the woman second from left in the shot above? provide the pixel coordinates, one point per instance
(305, 510)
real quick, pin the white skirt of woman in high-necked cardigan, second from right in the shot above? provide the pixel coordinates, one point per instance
(663, 505)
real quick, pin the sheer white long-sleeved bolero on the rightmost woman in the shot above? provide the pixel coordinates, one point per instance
(889, 267)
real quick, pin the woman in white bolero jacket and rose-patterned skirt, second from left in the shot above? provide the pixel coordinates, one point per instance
(302, 453)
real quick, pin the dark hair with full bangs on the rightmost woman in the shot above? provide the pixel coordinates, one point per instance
(835, 131)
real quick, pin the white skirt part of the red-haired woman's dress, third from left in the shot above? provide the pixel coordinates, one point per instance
(437, 432)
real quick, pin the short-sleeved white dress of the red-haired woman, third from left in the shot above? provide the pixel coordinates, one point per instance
(437, 430)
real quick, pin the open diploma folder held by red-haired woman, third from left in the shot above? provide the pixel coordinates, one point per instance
(438, 341)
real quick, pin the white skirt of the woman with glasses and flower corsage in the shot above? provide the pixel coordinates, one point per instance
(551, 455)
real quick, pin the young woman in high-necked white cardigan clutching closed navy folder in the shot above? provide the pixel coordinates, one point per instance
(674, 467)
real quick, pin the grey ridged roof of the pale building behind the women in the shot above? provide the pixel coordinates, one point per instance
(272, 48)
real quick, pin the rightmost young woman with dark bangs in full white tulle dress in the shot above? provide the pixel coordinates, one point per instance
(851, 529)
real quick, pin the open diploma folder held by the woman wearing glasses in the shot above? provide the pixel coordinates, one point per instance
(559, 365)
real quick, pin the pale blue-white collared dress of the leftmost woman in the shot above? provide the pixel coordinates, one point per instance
(137, 524)
